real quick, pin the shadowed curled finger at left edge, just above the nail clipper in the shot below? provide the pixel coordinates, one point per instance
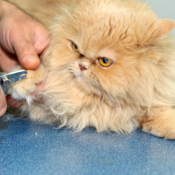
(7, 61)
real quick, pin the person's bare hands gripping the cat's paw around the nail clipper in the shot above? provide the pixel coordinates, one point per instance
(22, 39)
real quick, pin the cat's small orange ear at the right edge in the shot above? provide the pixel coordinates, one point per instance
(166, 27)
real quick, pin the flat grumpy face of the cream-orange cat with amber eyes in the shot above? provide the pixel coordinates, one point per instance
(107, 49)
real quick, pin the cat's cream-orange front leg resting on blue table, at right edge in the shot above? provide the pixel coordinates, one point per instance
(160, 122)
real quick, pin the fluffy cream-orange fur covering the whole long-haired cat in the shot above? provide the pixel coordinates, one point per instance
(137, 90)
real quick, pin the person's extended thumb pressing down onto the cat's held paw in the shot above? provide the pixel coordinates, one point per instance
(26, 52)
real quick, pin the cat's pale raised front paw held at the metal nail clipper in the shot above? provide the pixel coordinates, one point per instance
(24, 89)
